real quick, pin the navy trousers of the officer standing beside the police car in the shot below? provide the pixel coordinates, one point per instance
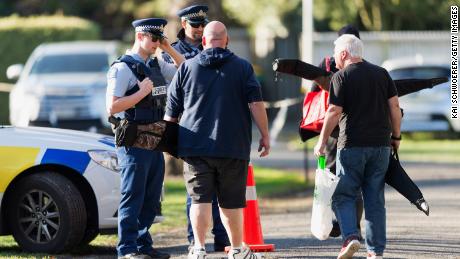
(142, 175)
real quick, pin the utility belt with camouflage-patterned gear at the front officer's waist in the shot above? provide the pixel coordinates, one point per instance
(160, 135)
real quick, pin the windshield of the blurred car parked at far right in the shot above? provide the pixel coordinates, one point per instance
(419, 72)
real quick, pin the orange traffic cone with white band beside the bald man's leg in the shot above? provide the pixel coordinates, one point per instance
(252, 234)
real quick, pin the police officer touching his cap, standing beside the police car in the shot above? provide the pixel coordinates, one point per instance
(136, 91)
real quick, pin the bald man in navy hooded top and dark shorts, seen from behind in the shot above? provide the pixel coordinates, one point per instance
(216, 92)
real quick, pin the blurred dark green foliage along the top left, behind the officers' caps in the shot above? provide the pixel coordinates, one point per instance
(114, 16)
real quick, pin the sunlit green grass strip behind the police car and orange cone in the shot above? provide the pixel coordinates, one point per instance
(270, 183)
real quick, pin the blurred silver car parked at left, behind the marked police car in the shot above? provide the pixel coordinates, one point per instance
(62, 85)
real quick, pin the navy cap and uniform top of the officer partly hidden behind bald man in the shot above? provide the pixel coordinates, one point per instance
(196, 14)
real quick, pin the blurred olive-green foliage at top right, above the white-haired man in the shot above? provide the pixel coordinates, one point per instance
(385, 14)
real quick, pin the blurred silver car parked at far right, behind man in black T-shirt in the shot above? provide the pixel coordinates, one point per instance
(429, 109)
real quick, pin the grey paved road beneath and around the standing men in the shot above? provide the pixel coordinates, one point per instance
(411, 234)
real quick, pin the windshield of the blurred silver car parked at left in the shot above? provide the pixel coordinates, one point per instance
(75, 63)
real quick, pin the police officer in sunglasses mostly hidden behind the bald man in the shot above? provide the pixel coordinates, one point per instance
(193, 20)
